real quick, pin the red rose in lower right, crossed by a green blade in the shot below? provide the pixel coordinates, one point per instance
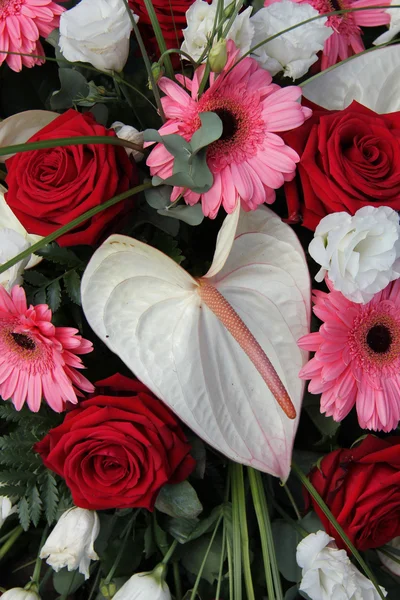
(361, 487)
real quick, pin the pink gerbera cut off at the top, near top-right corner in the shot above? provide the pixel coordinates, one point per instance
(346, 39)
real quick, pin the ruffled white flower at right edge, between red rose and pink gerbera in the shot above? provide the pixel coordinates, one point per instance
(360, 254)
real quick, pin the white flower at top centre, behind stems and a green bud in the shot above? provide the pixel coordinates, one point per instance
(200, 19)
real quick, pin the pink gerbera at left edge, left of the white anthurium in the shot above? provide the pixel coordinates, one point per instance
(36, 358)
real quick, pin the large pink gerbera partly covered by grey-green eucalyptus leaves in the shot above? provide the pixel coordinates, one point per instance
(250, 160)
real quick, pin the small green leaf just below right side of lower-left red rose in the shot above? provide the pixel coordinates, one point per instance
(179, 500)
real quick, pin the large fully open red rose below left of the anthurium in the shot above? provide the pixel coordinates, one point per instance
(117, 451)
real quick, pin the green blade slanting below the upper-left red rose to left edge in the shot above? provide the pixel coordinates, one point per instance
(74, 223)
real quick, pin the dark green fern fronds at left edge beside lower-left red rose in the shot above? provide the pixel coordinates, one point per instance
(22, 473)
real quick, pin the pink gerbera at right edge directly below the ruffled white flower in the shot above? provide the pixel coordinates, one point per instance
(357, 357)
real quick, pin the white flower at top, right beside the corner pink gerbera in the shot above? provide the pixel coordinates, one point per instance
(97, 32)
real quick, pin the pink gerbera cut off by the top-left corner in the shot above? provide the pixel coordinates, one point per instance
(21, 24)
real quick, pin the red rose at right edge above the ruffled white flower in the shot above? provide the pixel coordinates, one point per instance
(349, 159)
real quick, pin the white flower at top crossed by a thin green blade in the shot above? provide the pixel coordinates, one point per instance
(295, 51)
